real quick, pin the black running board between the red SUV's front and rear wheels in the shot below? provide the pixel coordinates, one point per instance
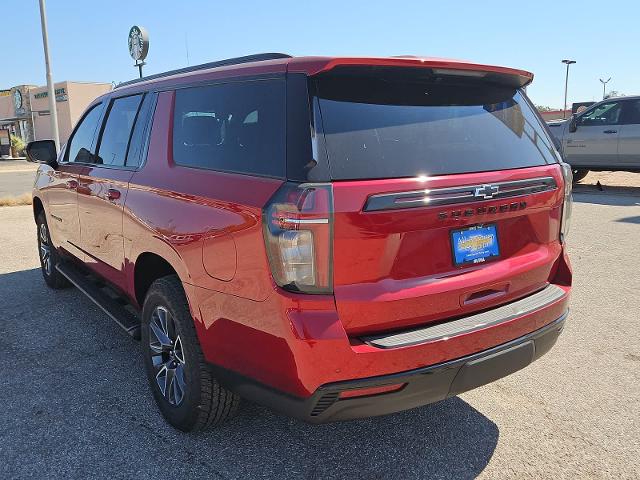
(106, 298)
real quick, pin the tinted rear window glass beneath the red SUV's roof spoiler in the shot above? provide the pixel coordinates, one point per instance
(376, 127)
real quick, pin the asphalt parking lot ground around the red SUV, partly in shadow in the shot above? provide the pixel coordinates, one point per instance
(76, 405)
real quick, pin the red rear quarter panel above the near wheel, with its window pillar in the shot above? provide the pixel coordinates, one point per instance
(174, 211)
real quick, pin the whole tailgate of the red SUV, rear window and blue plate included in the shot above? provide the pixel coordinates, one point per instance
(426, 165)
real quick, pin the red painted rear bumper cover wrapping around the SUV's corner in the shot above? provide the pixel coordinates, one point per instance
(297, 343)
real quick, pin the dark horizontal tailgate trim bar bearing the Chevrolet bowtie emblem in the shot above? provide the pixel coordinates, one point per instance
(453, 195)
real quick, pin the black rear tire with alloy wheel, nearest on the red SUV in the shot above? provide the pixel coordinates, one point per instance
(197, 401)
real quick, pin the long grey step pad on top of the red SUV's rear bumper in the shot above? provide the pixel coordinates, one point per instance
(504, 313)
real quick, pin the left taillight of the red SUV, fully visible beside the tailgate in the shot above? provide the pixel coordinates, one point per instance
(298, 230)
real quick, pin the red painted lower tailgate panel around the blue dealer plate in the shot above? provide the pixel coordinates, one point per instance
(394, 269)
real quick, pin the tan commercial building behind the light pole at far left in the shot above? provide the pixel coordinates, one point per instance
(24, 109)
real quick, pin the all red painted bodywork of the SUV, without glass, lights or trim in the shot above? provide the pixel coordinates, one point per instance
(208, 226)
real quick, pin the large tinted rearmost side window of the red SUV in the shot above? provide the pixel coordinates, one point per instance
(236, 127)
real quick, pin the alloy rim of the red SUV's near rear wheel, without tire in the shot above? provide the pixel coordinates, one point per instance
(167, 355)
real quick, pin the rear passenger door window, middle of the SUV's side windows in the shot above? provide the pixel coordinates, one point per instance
(116, 133)
